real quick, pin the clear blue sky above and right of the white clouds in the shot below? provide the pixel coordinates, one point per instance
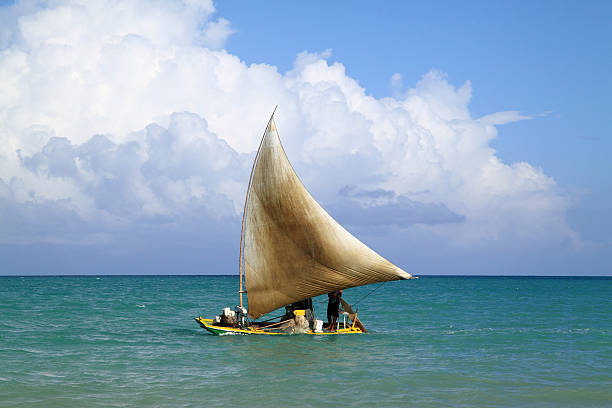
(548, 58)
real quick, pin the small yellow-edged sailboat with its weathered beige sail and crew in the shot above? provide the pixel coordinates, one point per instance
(291, 250)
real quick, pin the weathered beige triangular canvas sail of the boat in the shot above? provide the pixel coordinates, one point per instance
(293, 249)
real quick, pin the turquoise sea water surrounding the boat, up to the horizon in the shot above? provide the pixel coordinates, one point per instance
(437, 341)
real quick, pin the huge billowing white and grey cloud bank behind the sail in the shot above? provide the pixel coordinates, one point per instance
(124, 120)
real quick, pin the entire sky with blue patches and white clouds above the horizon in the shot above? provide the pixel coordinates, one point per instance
(452, 138)
